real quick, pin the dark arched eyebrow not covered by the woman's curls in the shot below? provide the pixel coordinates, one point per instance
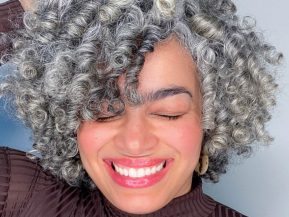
(163, 93)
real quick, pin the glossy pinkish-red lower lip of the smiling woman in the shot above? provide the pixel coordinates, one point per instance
(143, 182)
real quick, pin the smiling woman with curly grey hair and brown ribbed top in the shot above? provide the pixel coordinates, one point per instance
(130, 103)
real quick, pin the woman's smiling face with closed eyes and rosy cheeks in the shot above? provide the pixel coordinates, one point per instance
(145, 157)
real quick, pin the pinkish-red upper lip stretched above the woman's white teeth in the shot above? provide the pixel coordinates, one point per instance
(135, 162)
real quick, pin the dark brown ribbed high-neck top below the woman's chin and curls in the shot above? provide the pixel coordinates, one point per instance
(26, 190)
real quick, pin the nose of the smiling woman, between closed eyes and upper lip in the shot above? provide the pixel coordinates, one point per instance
(135, 136)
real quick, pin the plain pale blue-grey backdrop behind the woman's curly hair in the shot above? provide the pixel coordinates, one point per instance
(258, 186)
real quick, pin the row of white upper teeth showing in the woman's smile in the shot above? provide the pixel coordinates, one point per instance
(138, 172)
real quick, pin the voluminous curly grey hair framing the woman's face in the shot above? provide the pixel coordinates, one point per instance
(71, 53)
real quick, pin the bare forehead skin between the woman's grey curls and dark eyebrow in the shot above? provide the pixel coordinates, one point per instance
(169, 65)
